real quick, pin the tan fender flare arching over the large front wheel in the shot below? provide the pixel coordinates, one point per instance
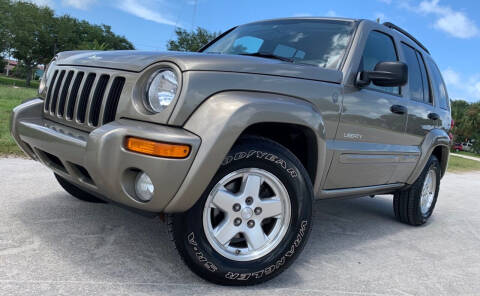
(220, 121)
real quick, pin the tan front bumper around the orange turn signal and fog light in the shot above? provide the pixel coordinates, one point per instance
(97, 161)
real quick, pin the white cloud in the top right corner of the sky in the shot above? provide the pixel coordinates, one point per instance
(455, 23)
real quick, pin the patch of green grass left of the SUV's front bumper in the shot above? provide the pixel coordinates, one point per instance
(9, 98)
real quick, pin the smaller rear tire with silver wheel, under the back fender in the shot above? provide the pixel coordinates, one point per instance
(416, 204)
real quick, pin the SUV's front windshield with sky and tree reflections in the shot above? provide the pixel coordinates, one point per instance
(320, 43)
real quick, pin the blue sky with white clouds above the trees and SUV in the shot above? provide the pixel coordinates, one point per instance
(449, 29)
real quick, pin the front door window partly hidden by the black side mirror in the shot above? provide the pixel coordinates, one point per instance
(379, 48)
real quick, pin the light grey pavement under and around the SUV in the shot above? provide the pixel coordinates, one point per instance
(53, 244)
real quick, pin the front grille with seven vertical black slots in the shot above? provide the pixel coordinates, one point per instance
(83, 98)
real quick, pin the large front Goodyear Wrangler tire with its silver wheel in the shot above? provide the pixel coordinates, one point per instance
(253, 219)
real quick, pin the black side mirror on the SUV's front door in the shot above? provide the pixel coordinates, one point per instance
(384, 74)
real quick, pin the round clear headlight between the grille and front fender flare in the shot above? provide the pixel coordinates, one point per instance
(162, 89)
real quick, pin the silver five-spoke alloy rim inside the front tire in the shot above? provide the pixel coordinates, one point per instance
(247, 214)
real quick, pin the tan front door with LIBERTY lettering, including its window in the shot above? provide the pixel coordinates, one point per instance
(370, 137)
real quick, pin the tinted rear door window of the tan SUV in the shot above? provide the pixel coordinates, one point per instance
(415, 81)
